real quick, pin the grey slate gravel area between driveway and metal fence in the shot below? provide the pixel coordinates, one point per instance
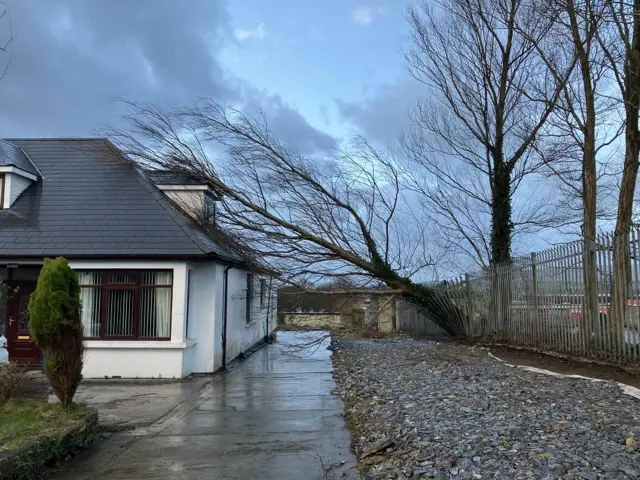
(421, 410)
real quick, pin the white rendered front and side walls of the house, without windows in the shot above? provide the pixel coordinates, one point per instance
(200, 349)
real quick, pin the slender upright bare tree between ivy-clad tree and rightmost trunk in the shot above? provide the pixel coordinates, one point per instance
(583, 124)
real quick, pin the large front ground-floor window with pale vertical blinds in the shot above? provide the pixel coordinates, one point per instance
(128, 304)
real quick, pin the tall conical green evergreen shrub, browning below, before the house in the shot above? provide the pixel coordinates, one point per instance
(56, 326)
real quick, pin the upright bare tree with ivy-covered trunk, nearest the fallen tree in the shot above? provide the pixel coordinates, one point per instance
(475, 132)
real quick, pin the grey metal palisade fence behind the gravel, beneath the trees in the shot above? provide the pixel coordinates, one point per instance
(538, 301)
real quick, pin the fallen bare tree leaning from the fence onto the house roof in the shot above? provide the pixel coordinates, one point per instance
(306, 216)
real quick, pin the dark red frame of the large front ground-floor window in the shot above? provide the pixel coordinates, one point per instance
(137, 287)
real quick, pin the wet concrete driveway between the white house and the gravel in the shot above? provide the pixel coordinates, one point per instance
(271, 417)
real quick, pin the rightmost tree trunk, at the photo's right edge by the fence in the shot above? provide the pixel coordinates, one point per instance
(621, 254)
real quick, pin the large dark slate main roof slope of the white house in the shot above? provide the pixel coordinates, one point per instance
(91, 202)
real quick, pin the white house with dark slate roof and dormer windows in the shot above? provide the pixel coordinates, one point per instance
(161, 298)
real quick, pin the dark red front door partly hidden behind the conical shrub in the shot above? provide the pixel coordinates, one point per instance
(21, 348)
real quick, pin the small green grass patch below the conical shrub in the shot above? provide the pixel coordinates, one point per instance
(24, 419)
